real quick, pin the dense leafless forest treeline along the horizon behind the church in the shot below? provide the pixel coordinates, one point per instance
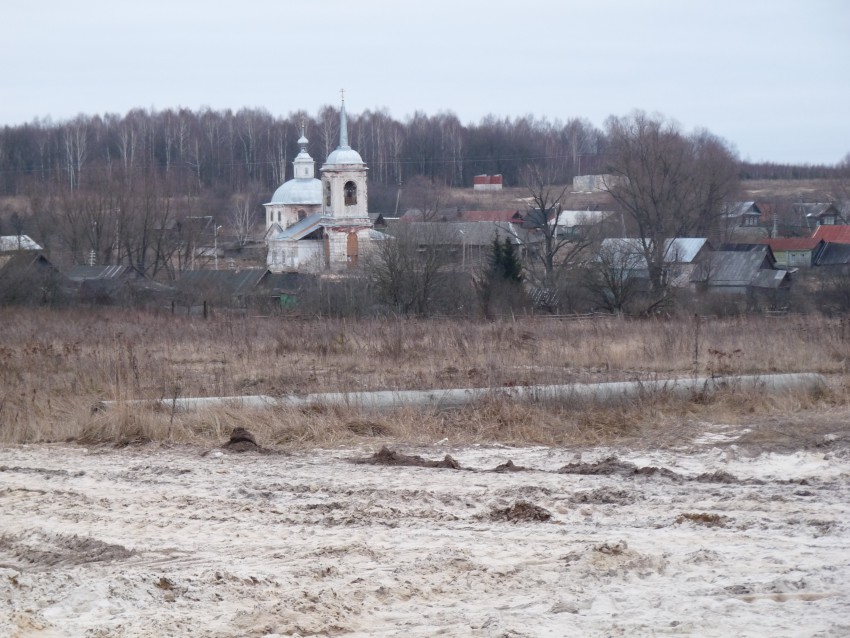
(225, 152)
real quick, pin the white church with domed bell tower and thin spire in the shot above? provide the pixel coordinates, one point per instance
(320, 224)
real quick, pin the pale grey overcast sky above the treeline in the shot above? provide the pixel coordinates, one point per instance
(770, 76)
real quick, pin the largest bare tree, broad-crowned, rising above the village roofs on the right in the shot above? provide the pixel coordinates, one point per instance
(670, 184)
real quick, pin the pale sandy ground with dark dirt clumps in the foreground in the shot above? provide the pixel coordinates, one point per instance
(722, 540)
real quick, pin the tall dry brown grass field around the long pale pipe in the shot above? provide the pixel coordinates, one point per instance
(56, 364)
